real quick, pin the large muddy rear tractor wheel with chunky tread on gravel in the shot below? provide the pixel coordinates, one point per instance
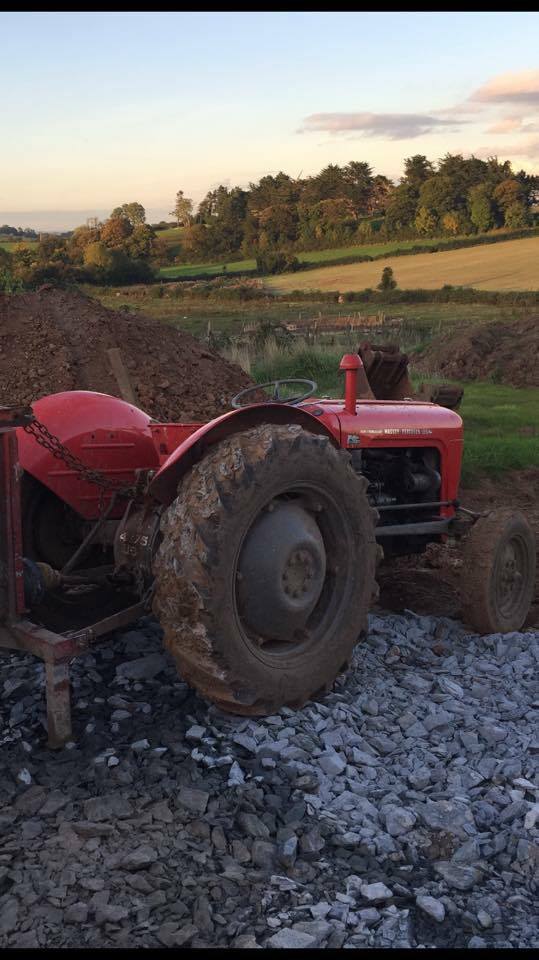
(265, 573)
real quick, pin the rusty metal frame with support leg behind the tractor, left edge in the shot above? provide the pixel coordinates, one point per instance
(16, 631)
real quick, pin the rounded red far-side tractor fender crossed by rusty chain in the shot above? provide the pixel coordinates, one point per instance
(106, 433)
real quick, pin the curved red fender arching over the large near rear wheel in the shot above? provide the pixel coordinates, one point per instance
(164, 485)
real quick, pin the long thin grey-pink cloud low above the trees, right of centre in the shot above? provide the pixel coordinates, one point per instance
(390, 126)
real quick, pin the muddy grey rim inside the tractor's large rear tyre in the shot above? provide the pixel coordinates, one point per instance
(317, 572)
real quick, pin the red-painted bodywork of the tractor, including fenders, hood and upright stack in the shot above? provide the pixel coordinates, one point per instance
(116, 438)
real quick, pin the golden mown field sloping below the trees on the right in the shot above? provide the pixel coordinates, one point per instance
(512, 265)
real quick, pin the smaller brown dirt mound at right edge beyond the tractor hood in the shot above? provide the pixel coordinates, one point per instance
(506, 352)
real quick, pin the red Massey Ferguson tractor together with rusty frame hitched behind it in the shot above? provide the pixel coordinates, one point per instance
(253, 538)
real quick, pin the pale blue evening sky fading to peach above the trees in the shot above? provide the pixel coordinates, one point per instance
(99, 109)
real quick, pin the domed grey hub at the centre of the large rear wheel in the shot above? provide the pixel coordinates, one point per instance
(281, 572)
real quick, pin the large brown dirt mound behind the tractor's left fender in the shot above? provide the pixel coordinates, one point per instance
(53, 340)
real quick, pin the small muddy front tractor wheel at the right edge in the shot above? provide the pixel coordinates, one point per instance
(498, 572)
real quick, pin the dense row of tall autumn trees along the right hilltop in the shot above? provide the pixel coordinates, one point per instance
(344, 205)
